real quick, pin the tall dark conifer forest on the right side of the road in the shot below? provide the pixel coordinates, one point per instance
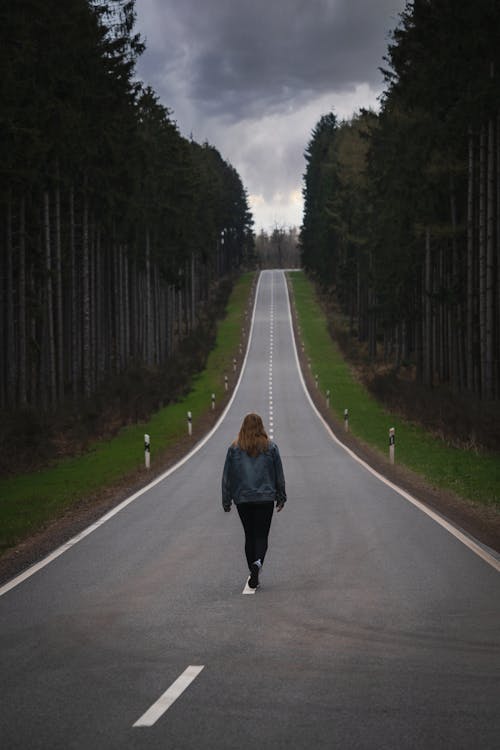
(402, 209)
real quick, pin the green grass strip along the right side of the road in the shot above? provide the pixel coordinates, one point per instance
(471, 475)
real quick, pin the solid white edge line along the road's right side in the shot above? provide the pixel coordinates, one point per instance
(470, 543)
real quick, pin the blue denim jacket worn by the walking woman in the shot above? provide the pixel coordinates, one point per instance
(248, 479)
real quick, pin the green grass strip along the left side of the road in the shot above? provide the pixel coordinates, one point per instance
(28, 501)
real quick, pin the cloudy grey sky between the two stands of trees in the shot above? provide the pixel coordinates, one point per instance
(253, 77)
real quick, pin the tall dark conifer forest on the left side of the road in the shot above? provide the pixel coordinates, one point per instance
(114, 229)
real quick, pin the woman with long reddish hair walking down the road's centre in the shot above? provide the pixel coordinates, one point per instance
(253, 478)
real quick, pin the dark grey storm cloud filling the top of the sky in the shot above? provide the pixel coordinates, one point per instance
(236, 57)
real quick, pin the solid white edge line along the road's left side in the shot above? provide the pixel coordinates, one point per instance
(78, 538)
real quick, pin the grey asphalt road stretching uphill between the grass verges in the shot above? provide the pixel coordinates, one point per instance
(374, 627)
